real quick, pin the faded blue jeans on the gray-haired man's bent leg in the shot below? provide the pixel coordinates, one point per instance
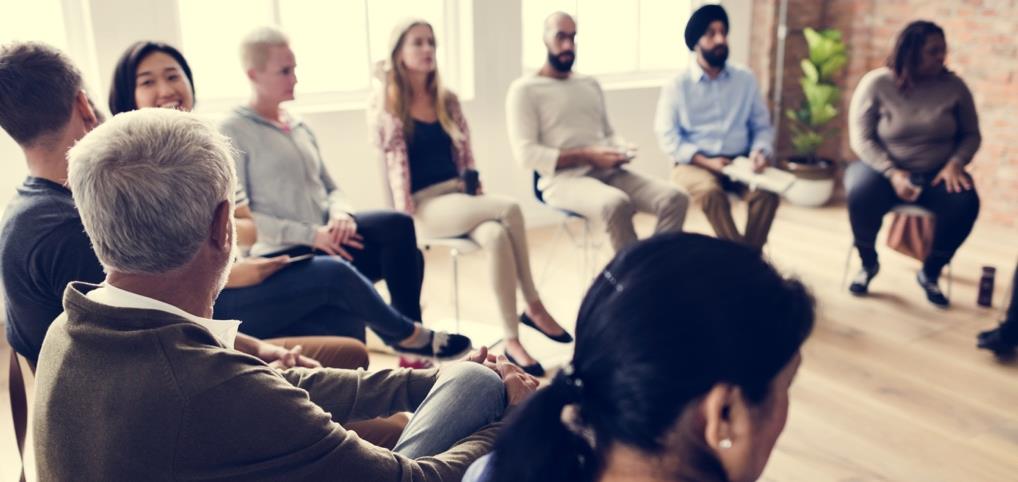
(466, 398)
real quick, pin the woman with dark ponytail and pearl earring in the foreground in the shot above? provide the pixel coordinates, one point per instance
(686, 350)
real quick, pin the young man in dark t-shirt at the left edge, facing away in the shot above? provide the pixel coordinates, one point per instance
(43, 245)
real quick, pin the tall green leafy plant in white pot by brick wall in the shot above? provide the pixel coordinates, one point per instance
(815, 175)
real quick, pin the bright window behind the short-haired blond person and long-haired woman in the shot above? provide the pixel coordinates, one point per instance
(337, 42)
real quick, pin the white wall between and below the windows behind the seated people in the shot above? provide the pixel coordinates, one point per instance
(343, 134)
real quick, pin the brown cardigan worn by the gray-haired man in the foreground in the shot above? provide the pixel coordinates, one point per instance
(144, 395)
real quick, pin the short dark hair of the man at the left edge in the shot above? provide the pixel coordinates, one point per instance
(39, 86)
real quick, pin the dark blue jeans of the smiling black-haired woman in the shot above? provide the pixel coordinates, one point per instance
(323, 297)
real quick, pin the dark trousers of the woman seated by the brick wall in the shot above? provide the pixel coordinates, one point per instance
(871, 196)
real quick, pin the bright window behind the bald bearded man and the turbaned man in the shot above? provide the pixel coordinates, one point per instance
(614, 38)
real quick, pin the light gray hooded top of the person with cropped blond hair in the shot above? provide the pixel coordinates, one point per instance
(290, 190)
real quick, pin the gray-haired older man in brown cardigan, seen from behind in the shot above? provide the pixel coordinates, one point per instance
(136, 383)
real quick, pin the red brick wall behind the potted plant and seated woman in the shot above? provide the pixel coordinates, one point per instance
(983, 50)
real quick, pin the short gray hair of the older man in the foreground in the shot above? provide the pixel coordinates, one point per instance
(147, 185)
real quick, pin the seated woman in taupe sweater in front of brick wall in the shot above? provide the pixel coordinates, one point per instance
(915, 127)
